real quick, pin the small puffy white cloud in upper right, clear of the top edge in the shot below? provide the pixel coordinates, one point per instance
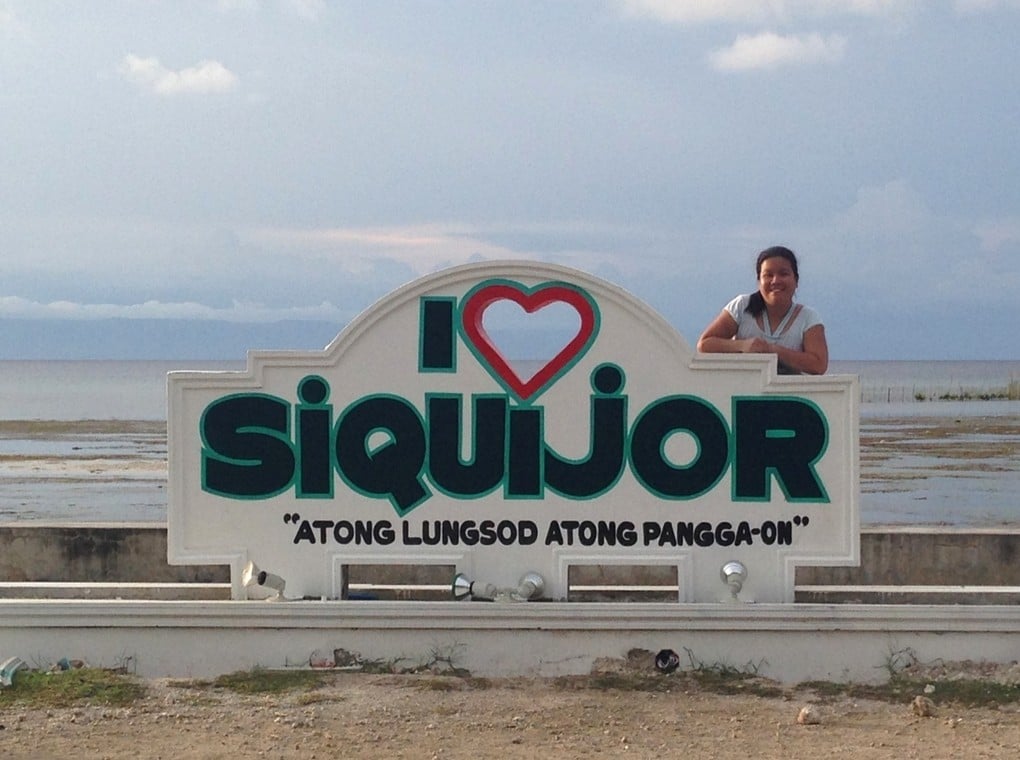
(770, 50)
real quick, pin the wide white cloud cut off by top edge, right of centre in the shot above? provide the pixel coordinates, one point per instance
(758, 12)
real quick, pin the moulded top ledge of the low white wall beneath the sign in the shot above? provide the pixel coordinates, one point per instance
(522, 617)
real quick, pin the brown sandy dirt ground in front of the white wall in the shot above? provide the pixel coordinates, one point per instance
(360, 716)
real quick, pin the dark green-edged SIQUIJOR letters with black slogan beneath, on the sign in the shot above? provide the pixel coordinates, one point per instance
(257, 446)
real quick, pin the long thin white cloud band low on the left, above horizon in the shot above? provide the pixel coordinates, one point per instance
(239, 312)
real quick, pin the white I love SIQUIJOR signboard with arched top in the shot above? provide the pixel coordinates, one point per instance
(514, 419)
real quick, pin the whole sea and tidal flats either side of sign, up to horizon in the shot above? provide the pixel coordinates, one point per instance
(87, 442)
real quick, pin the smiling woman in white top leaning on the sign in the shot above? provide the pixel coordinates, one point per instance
(769, 322)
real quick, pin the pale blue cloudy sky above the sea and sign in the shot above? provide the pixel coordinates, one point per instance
(256, 162)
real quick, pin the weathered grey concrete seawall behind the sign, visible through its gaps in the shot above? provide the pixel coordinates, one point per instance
(922, 566)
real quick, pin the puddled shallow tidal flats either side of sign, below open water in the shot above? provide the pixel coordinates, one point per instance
(934, 470)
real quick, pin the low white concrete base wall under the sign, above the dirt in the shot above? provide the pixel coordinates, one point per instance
(790, 643)
